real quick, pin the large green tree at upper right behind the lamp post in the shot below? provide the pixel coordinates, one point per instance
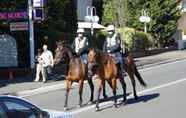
(164, 16)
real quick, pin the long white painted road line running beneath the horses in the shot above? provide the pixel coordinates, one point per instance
(131, 95)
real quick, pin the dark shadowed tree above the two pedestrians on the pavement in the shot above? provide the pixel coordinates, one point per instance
(61, 22)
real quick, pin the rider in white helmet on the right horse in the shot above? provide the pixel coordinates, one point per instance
(114, 46)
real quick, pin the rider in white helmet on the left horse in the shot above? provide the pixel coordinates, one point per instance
(81, 45)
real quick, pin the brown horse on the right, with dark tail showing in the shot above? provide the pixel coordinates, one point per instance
(107, 69)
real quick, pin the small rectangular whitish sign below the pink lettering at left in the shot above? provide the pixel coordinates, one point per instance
(18, 26)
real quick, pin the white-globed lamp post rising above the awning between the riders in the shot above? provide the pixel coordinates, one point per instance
(91, 17)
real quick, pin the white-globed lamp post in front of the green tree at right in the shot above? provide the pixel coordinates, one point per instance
(144, 18)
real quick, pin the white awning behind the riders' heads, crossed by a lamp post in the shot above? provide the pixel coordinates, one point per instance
(87, 25)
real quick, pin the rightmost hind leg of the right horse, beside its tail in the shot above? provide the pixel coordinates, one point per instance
(131, 76)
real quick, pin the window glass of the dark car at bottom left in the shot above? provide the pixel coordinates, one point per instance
(17, 109)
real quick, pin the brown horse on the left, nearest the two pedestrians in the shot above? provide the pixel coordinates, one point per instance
(76, 71)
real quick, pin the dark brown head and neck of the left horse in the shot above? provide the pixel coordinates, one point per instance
(63, 53)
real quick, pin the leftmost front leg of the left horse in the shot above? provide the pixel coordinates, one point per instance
(68, 84)
